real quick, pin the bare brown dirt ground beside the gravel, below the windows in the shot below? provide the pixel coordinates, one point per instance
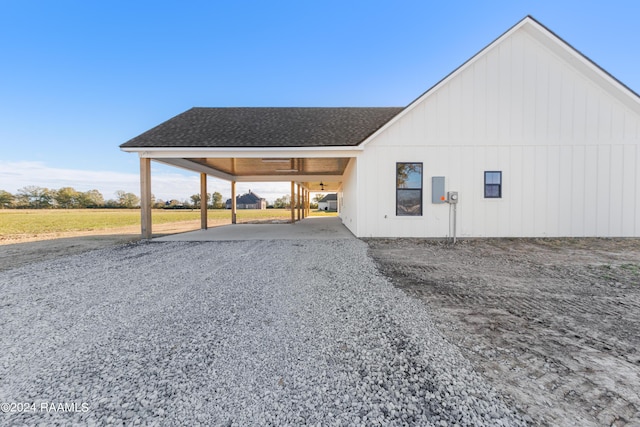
(554, 324)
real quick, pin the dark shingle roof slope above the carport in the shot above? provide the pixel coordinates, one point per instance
(266, 127)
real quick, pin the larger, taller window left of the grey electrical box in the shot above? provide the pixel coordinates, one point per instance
(408, 189)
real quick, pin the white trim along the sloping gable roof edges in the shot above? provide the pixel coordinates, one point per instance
(553, 43)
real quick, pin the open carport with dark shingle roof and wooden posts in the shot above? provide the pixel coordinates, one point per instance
(308, 147)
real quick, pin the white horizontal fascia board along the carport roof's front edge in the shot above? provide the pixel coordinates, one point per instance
(276, 152)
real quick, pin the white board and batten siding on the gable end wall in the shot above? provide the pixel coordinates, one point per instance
(567, 143)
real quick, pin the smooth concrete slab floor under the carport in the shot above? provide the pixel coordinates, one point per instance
(324, 228)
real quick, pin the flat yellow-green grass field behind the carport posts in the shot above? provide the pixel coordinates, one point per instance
(33, 222)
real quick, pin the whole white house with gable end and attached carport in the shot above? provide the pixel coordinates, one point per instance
(536, 139)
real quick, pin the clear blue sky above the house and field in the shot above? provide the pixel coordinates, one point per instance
(78, 78)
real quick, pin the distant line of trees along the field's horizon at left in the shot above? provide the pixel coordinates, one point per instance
(34, 197)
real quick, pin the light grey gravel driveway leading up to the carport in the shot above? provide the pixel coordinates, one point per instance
(228, 333)
